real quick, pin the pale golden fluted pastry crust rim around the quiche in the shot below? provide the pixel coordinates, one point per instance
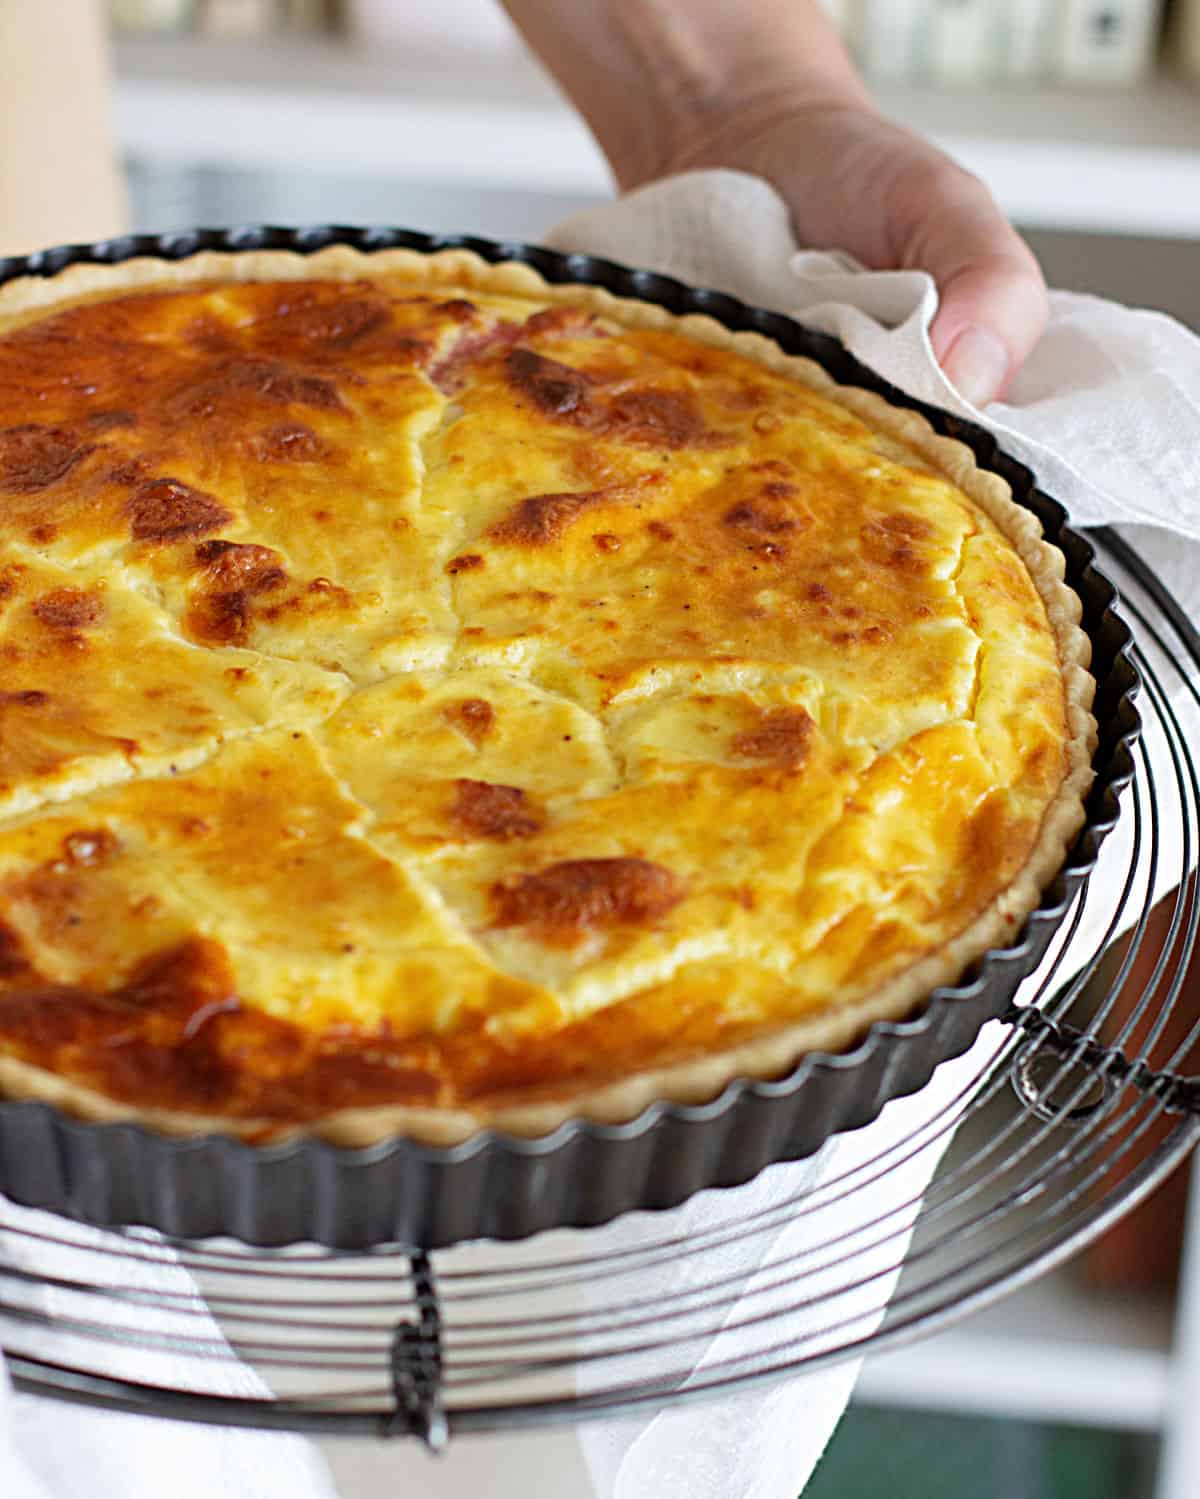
(765, 1056)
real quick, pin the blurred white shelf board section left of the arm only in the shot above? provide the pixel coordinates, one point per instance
(297, 106)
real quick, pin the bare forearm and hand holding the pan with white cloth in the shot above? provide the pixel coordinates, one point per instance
(769, 89)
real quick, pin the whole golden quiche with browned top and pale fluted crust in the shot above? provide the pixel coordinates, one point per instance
(435, 699)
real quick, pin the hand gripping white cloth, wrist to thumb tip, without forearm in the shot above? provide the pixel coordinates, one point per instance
(856, 182)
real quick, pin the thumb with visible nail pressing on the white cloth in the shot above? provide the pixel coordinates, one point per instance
(993, 296)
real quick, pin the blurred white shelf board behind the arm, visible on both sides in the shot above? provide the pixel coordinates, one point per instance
(1117, 163)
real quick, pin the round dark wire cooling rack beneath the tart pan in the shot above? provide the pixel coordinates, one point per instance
(1066, 1115)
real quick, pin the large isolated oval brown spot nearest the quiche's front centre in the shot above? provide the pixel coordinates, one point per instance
(578, 896)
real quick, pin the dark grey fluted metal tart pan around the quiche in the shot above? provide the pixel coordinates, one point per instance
(497, 1186)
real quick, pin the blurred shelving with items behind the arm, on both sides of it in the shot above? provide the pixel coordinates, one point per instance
(1084, 118)
